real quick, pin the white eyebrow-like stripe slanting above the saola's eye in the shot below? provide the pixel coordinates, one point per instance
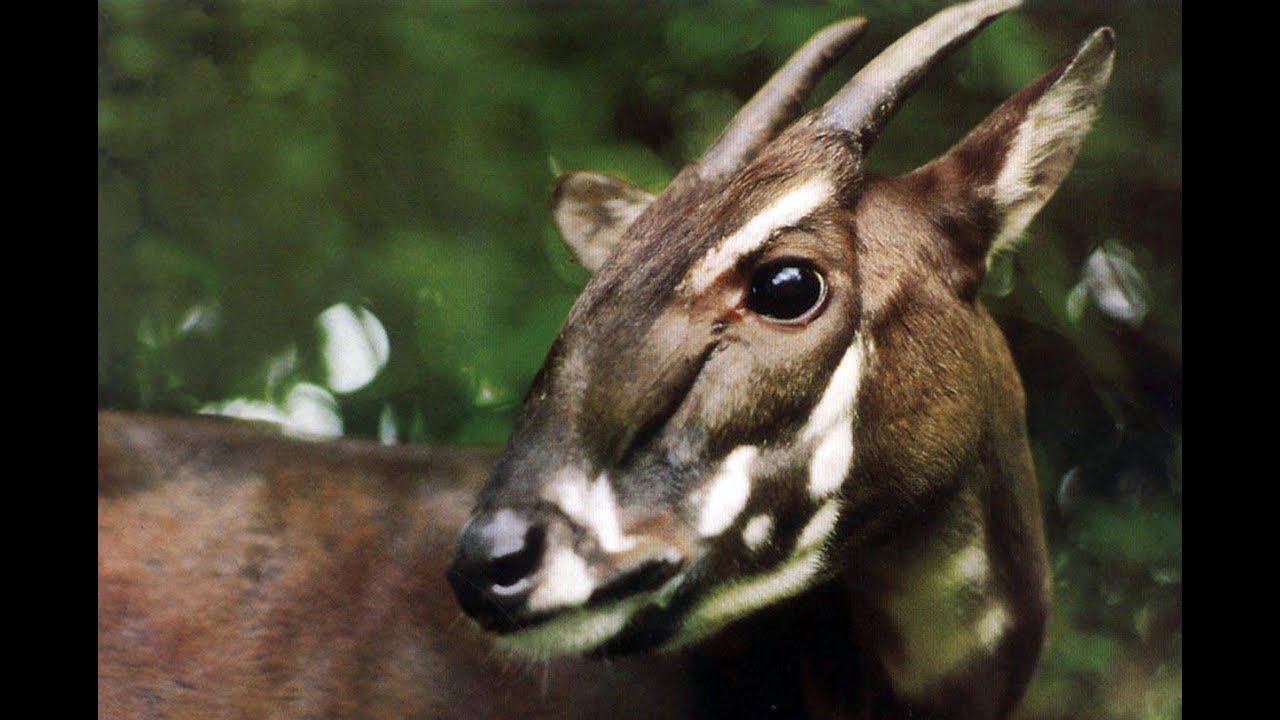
(787, 209)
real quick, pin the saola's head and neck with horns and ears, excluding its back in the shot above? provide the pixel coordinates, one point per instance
(780, 388)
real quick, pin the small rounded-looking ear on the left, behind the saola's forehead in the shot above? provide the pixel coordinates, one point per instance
(593, 211)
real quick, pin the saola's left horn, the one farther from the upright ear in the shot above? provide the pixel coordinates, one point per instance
(779, 102)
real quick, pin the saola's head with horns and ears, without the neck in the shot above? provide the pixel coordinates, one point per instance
(775, 361)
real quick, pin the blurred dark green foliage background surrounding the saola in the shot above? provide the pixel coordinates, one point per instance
(259, 163)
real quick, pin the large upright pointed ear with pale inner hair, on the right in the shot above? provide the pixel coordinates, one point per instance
(1008, 167)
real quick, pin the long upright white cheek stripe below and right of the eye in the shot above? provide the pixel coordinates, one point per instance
(831, 423)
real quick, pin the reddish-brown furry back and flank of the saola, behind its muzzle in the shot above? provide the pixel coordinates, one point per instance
(248, 576)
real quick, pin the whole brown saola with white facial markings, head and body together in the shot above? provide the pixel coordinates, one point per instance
(778, 440)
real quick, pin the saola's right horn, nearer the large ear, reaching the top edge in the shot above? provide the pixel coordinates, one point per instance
(872, 95)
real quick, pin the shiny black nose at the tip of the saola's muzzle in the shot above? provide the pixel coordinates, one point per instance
(496, 557)
